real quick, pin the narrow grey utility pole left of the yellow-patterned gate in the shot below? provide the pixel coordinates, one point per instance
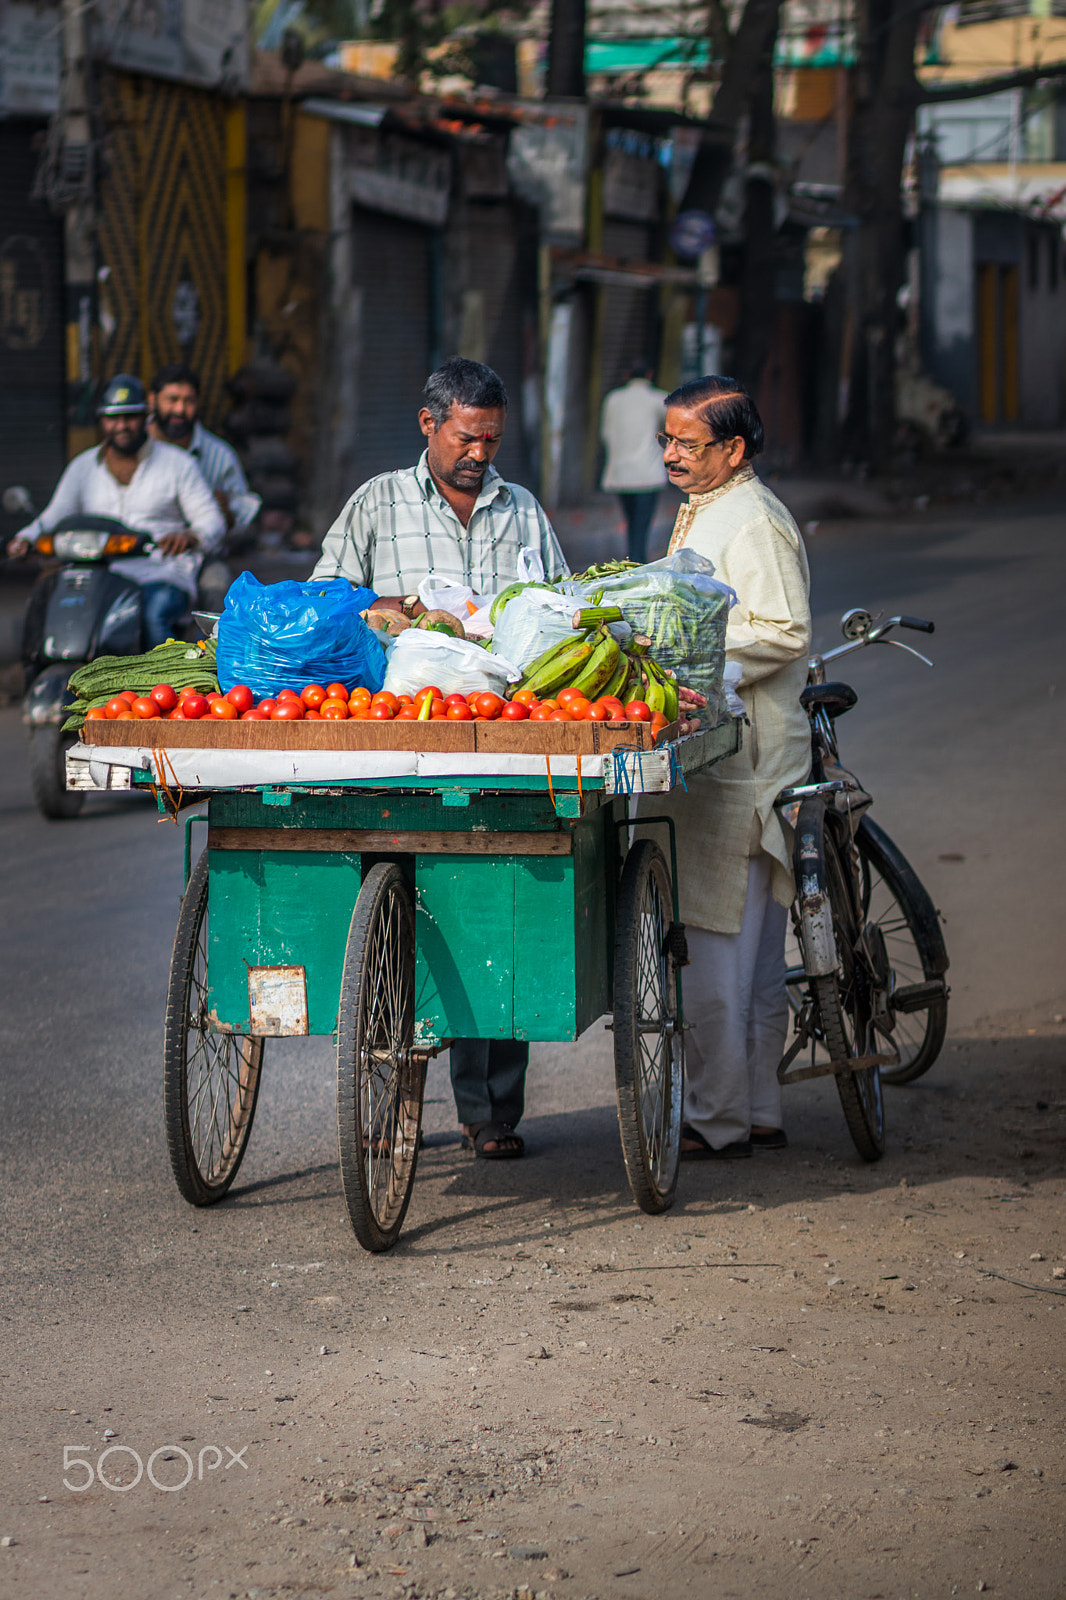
(74, 190)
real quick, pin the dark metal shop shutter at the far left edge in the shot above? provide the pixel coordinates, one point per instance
(33, 393)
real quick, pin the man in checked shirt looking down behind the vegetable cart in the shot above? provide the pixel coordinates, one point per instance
(455, 518)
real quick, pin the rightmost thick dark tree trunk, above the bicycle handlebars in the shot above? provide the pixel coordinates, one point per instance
(884, 89)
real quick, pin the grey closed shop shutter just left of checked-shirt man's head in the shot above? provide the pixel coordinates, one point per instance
(391, 274)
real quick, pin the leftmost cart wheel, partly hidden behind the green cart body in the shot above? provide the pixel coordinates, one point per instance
(210, 1081)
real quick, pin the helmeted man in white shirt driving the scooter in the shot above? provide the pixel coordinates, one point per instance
(150, 487)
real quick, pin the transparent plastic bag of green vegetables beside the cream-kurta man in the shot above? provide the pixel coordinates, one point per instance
(683, 609)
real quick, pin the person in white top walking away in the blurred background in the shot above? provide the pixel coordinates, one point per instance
(635, 471)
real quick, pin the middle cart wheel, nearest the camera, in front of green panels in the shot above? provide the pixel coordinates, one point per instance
(379, 1078)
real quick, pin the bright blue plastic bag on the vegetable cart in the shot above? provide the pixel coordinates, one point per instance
(286, 636)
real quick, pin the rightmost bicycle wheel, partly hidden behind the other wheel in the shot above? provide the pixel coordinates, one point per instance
(896, 902)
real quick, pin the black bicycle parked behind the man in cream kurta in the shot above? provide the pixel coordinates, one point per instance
(868, 959)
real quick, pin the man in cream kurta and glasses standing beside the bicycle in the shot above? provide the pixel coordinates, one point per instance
(735, 873)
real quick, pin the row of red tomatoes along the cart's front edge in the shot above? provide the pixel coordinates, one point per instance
(335, 703)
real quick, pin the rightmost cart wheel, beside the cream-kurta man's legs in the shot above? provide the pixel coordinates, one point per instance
(649, 1044)
